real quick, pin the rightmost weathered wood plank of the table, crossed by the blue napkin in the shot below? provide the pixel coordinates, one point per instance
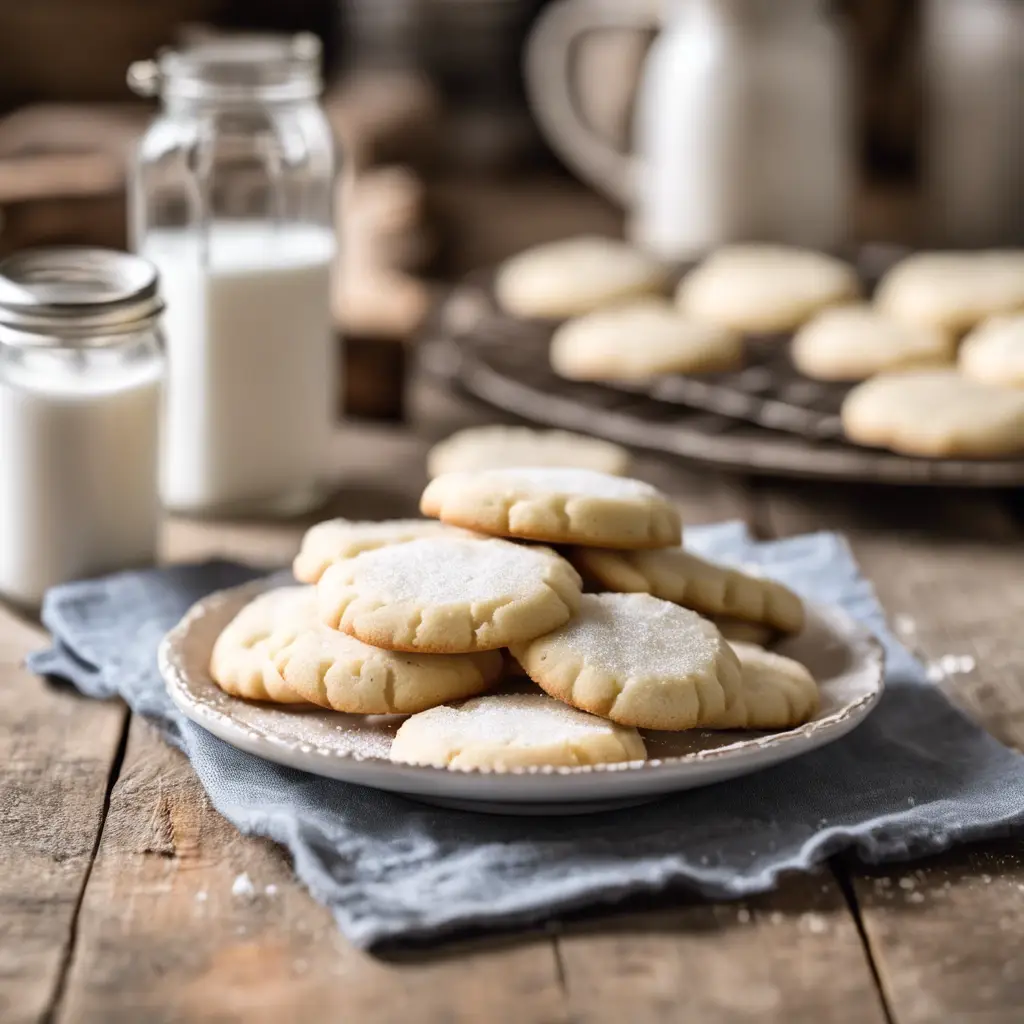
(948, 938)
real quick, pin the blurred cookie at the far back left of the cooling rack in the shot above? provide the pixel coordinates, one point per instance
(574, 277)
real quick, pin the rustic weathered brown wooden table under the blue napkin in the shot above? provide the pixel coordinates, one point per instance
(116, 874)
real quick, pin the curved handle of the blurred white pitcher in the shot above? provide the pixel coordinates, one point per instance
(549, 89)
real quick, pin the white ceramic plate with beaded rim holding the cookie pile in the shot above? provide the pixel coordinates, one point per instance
(843, 656)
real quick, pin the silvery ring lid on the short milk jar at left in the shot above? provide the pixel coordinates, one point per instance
(77, 295)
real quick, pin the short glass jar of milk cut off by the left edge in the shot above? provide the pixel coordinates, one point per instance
(81, 373)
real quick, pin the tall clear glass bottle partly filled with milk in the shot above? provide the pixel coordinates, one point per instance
(232, 200)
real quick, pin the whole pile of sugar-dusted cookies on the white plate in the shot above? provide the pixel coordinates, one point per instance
(414, 617)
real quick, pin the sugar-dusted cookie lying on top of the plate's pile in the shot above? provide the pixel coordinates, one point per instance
(559, 506)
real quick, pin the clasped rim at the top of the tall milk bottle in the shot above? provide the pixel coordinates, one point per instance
(235, 69)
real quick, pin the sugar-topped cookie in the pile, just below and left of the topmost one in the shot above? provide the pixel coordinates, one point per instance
(448, 595)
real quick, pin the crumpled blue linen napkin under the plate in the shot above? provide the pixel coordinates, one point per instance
(914, 779)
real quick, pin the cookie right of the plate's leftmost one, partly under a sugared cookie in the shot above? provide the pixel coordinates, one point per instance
(336, 671)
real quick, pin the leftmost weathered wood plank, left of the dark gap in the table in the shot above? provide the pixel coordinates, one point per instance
(57, 753)
